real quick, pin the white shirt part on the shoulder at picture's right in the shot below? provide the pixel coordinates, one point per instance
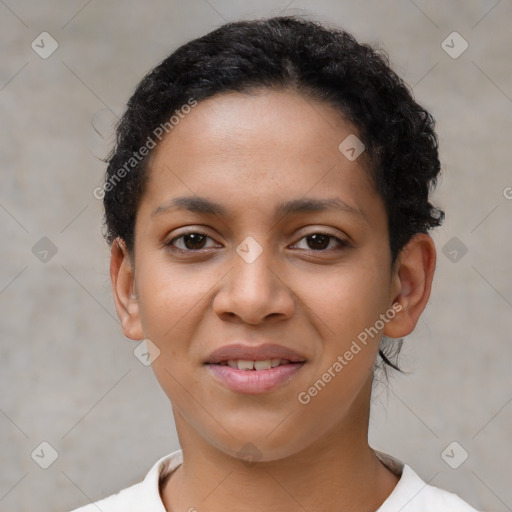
(412, 494)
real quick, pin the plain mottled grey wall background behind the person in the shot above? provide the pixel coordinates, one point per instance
(68, 376)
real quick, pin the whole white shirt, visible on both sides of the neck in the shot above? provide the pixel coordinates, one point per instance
(411, 494)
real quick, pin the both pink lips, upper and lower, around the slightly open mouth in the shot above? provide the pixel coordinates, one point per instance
(254, 381)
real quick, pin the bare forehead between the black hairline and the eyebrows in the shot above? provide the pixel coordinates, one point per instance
(258, 150)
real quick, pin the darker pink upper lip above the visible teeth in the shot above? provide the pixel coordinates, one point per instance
(254, 353)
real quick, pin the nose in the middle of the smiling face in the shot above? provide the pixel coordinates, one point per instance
(253, 291)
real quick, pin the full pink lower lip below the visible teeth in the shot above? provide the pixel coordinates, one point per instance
(254, 381)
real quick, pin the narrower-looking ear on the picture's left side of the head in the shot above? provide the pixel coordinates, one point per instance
(123, 287)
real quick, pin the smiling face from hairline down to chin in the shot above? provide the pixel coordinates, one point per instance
(249, 271)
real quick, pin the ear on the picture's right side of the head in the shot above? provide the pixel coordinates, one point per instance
(412, 282)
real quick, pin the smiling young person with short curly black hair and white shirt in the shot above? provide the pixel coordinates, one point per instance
(267, 206)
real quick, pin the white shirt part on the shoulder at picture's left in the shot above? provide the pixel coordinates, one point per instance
(144, 495)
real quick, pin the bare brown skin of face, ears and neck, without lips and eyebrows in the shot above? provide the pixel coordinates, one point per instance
(251, 152)
